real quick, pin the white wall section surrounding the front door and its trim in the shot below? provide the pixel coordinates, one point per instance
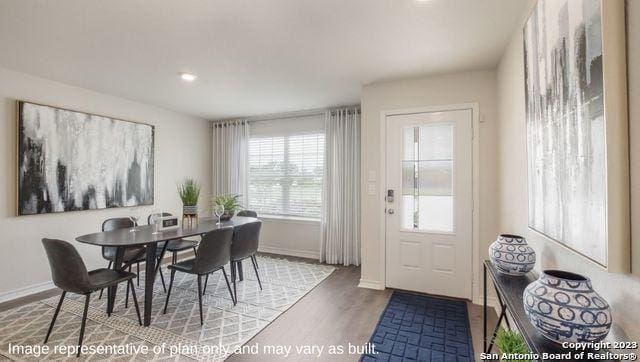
(469, 87)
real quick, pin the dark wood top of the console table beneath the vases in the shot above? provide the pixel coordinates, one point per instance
(511, 289)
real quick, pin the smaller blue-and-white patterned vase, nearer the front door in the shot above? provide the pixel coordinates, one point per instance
(511, 255)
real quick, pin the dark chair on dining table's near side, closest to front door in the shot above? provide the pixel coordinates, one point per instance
(245, 245)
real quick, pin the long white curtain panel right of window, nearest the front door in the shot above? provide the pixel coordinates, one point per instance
(340, 239)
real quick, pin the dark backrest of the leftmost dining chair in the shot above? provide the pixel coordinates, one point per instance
(67, 268)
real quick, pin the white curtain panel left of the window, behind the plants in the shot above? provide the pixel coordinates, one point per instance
(231, 158)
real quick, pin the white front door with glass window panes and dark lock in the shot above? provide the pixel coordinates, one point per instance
(429, 202)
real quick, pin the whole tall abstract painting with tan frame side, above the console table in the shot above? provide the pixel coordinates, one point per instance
(577, 128)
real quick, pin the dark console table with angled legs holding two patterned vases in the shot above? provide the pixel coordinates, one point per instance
(509, 290)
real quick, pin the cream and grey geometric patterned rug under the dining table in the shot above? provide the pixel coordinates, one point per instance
(225, 328)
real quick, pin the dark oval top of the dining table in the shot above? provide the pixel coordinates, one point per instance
(145, 234)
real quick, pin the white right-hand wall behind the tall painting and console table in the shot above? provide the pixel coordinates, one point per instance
(622, 291)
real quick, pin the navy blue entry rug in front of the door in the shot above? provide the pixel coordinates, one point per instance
(421, 328)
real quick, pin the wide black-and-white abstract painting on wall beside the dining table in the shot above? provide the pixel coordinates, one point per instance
(71, 161)
